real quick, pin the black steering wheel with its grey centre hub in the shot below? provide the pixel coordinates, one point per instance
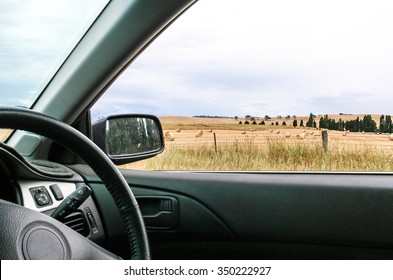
(27, 234)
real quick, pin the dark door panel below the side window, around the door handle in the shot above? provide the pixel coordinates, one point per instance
(272, 215)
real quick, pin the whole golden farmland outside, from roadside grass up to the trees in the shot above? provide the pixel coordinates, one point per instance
(227, 145)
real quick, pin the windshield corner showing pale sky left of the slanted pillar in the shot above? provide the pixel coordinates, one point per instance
(36, 37)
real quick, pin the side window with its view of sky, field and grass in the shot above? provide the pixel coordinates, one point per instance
(271, 85)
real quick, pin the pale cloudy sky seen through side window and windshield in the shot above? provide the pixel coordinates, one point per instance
(236, 58)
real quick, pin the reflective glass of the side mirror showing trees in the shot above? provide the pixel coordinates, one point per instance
(132, 135)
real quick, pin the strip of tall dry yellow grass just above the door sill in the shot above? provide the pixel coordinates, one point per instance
(278, 154)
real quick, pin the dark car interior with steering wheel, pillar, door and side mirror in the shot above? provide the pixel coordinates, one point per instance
(63, 197)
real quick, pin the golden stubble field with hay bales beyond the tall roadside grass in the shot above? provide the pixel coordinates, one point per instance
(184, 130)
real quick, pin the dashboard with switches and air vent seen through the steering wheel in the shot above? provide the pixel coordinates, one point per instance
(42, 186)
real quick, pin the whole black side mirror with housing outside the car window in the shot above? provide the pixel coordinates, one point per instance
(129, 138)
